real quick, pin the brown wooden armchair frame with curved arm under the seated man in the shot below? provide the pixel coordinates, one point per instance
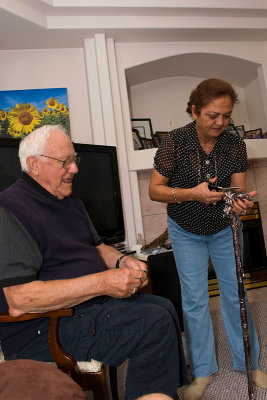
(94, 381)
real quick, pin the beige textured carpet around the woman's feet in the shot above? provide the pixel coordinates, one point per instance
(230, 384)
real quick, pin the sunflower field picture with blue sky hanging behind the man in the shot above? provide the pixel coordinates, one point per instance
(22, 111)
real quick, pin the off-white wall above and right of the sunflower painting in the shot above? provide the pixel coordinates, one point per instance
(38, 69)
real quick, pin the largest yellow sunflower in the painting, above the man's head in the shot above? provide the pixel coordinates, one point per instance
(23, 118)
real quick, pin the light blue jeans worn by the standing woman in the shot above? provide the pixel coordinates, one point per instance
(192, 254)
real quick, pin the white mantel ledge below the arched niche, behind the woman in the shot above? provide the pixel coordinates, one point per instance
(143, 159)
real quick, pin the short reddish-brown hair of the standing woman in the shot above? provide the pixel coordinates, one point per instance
(209, 90)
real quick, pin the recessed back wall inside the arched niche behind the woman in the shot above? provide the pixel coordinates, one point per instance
(165, 100)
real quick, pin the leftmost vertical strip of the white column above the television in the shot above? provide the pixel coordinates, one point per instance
(94, 92)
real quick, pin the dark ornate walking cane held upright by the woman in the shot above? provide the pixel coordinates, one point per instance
(235, 223)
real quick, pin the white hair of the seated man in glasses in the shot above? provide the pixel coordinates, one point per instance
(34, 143)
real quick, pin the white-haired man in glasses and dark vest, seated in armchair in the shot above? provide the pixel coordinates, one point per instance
(52, 257)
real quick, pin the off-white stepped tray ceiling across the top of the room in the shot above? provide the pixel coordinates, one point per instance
(32, 24)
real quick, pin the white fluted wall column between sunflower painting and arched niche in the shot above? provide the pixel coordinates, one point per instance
(108, 126)
